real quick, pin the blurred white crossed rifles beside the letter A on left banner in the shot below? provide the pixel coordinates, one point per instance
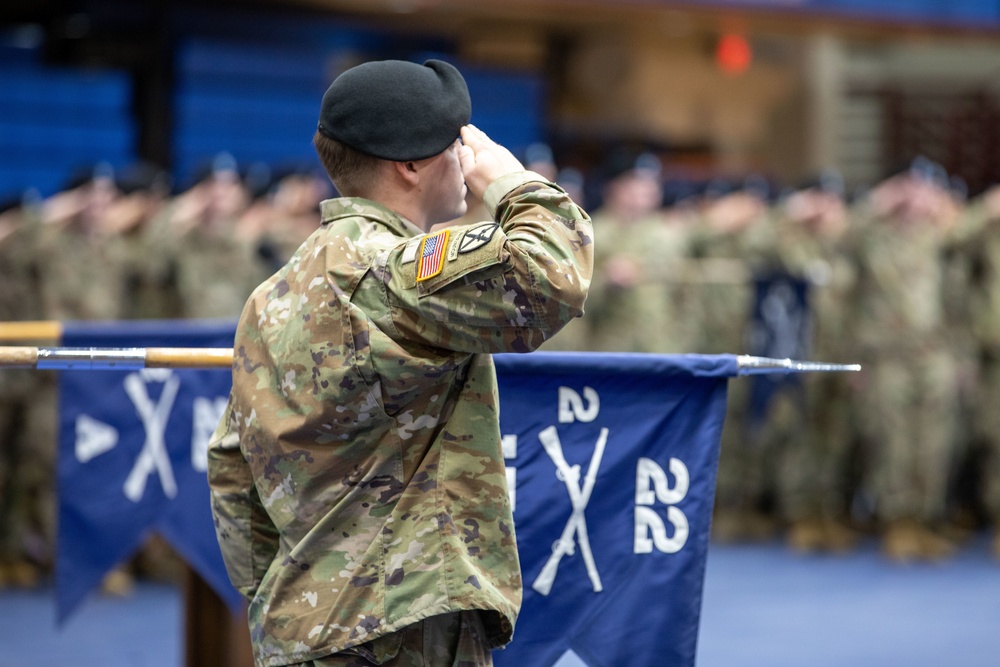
(154, 418)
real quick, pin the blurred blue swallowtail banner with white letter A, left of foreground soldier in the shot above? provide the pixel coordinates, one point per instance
(132, 457)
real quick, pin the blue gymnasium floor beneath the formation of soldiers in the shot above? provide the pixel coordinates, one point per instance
(764, 606)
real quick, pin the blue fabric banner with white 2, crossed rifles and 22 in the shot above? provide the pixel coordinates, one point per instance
(612, 462)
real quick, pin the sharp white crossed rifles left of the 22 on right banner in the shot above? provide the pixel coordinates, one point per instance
(576, 526)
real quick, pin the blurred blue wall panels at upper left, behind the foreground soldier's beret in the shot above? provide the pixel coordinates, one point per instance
(253, 93)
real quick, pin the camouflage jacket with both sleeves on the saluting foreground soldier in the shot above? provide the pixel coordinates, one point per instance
(357, 481)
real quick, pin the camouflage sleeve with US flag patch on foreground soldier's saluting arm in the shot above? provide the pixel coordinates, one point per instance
(497, 286)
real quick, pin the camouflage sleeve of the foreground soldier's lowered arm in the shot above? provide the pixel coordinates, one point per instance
(247, 538)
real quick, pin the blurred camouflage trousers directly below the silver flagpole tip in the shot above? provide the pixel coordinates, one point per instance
(815, 455)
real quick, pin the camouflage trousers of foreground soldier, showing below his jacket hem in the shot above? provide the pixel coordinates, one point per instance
(450, 640)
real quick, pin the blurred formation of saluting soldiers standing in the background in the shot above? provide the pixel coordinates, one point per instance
(903, 278)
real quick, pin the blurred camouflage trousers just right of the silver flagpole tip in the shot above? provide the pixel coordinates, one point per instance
(910, 409)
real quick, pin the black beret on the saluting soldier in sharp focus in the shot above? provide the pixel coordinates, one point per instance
(396, 110)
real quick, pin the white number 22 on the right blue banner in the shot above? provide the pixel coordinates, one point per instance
(651, 485)
